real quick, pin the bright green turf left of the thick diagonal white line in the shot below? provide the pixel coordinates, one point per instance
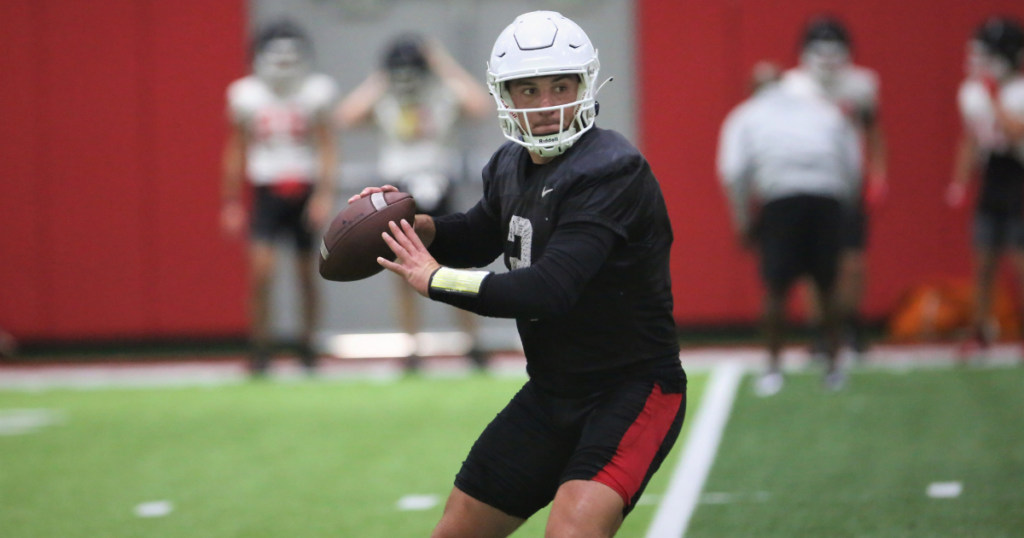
(255, 461)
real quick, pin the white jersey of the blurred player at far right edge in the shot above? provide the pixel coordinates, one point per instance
(979, 115)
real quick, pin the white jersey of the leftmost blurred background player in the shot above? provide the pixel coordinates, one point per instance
(280, 128)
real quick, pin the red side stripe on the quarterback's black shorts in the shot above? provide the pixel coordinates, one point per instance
(636, 451)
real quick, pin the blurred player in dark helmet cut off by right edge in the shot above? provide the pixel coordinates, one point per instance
(992, 104)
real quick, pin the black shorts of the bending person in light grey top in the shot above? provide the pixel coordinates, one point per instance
(800, 235)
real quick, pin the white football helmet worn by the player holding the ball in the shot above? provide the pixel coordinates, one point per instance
(538, 45)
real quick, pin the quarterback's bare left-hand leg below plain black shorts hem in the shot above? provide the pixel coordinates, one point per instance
(467, 518)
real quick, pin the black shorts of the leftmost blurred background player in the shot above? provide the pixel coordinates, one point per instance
(279, 214)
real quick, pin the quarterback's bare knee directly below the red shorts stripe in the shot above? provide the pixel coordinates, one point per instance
(585, 509)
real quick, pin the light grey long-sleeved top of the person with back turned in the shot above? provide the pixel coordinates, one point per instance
(788, 141)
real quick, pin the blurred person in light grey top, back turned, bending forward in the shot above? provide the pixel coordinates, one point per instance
(789, 157)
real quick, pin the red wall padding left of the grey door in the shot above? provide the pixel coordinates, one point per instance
(113, 129)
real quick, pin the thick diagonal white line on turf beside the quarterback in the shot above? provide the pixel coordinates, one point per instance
(677, 507)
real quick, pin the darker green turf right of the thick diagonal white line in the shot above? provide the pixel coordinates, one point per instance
(858, 464)
